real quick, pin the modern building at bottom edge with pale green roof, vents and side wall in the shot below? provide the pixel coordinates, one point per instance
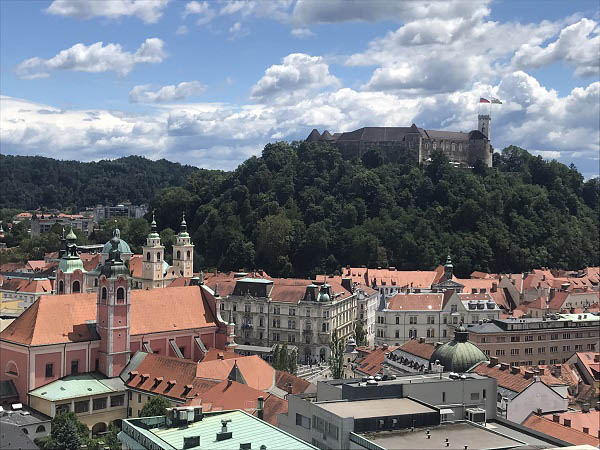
(190, 428)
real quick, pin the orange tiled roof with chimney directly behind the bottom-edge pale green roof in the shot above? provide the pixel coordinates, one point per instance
(228, 395)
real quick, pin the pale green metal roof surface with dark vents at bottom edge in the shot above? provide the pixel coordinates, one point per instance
(244, 428)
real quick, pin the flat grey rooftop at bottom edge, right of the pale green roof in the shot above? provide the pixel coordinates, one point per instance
(458, 434)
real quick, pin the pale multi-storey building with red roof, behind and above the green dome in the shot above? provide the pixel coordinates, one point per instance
(432, 316)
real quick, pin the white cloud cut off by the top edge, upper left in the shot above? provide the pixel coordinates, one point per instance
(150, 11)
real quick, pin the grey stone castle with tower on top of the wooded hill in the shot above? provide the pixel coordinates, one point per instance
(463, 149)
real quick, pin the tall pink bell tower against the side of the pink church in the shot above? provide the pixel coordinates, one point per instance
(112, 314)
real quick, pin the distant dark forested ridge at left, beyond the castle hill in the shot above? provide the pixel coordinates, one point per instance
(30, 182)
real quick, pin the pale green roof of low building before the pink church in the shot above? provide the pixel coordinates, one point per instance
(80, 385)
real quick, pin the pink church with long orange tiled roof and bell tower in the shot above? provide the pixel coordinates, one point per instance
(61, 335)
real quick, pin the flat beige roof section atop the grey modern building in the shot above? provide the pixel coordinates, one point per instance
(362, 409)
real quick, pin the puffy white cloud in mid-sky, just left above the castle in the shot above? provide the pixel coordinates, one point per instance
(299, 75)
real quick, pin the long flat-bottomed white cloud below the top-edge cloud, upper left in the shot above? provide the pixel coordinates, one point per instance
(96, 57)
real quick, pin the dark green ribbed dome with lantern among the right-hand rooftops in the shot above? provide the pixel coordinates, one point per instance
(458, 355)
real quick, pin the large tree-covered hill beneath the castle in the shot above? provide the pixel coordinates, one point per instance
(301, 209)
